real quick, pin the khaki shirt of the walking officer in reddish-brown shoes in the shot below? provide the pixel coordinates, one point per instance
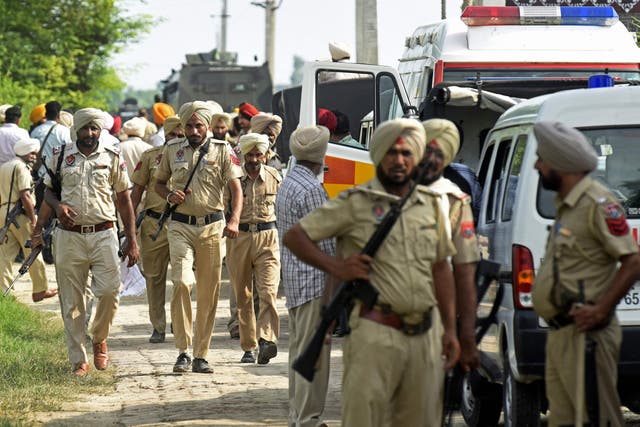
(88, 182)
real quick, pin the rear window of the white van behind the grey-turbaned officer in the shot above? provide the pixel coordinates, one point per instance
(616, 147)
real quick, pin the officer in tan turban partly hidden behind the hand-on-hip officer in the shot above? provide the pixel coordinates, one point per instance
(443, 142)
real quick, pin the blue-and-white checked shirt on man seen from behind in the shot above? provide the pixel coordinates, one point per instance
(299, 194)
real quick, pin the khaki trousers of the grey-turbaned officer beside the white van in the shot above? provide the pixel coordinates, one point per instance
(561, 374)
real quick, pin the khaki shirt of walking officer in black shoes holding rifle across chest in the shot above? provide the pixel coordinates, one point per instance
(217, 167)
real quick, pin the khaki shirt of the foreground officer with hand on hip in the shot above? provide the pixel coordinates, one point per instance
(401, 269)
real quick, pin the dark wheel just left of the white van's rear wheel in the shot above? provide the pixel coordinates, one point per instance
(481, 401)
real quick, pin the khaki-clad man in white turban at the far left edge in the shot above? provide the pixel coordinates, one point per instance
(16, 185)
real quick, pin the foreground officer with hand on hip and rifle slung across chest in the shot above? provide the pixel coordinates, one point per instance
(387, 353)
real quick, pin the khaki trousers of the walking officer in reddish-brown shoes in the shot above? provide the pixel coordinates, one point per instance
(75, 255)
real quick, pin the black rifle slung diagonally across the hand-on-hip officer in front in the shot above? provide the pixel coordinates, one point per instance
(361, 289)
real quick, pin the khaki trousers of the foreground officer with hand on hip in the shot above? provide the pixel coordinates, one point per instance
(385, 381)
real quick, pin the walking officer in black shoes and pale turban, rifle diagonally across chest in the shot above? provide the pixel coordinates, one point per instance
(196, 226)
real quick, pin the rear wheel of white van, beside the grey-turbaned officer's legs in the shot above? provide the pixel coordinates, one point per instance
(521, 401)
